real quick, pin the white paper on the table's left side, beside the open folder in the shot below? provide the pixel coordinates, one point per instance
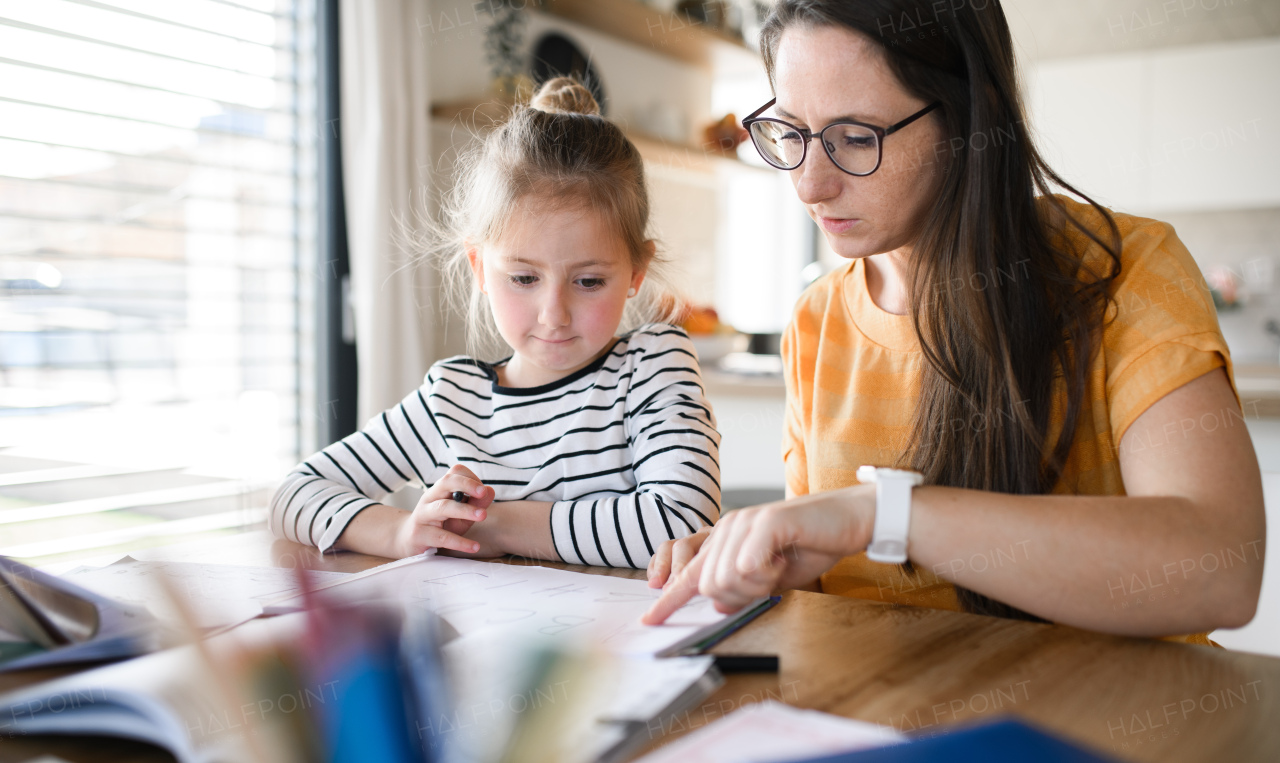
(218, 595)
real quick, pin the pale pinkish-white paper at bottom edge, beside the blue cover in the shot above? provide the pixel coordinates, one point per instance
(772, 733)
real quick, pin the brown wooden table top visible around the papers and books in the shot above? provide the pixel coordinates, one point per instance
(913, 670)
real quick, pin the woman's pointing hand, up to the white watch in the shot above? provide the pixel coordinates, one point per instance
(757, 551)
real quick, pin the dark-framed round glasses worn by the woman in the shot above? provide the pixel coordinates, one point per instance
(853, 147)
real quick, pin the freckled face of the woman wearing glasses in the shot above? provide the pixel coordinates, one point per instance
(824, 75)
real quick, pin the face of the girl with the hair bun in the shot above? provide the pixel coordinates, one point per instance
(557, 284)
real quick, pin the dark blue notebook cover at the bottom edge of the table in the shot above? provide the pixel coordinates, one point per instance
(991, 743)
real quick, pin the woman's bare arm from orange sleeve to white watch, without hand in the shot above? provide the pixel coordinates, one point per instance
(1181, 554)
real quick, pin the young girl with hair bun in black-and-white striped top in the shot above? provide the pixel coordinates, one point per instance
(582, 446)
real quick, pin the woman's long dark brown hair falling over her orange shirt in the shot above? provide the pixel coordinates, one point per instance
(1022, 328)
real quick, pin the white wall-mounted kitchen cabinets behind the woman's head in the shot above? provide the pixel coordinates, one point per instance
(1163, 131)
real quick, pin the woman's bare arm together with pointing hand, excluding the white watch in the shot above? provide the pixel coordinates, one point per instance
(1181, 554)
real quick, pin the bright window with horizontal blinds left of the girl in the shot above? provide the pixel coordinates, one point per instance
(157, 225)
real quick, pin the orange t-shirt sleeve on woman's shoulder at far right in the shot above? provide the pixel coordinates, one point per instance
(1163, 331)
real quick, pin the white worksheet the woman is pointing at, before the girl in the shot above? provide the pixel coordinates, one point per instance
(478, 597)
